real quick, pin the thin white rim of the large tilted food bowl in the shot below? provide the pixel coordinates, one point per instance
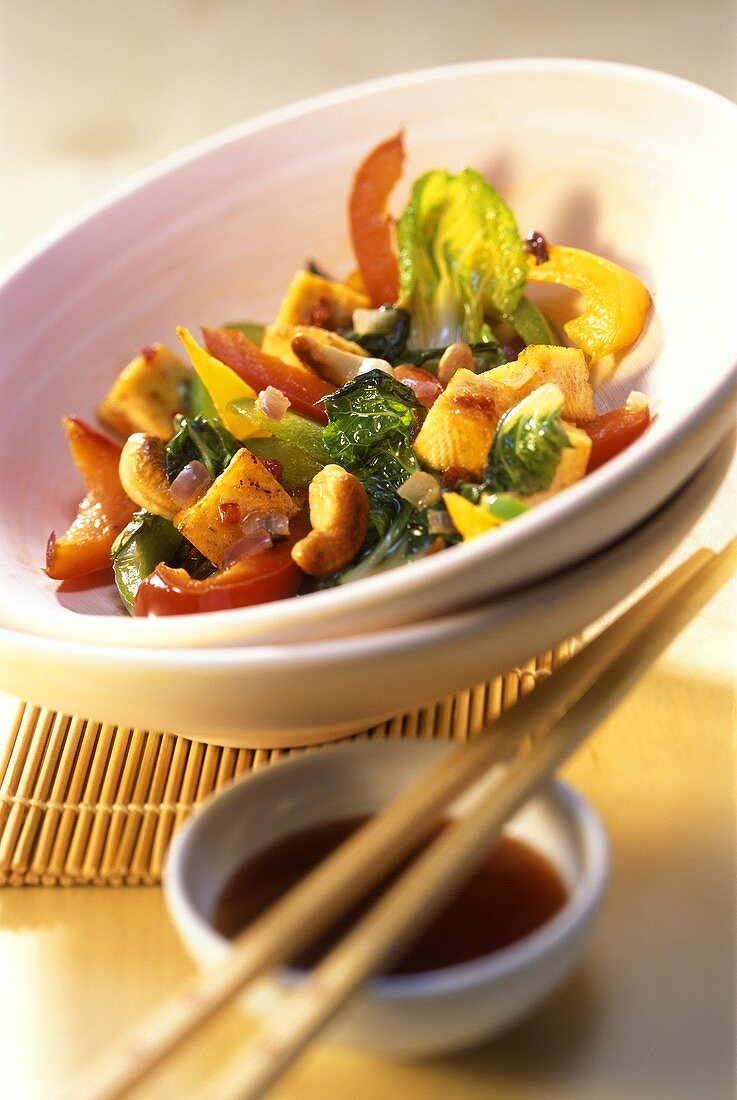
(243, 625)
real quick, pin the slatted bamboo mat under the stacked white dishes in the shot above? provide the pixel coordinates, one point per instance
(90, 804)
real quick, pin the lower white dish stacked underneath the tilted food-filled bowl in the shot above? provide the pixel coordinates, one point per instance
(291, 695)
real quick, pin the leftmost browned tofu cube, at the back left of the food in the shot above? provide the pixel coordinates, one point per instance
(148, 394)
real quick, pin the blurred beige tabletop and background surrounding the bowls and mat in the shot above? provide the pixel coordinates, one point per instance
(93, 91)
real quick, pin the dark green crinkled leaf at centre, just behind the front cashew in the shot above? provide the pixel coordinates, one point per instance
(372, 422)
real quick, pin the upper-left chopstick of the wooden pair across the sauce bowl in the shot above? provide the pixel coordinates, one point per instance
(367, 857)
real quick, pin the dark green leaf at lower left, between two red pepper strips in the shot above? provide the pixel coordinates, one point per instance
(146, 543)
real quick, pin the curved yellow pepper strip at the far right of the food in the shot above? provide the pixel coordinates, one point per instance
(617, 301)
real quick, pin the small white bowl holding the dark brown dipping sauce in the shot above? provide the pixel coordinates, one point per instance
(413, 1015)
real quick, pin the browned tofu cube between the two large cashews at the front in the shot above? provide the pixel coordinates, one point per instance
(246, 487)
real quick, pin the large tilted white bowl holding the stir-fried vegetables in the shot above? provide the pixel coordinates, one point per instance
(633, 164)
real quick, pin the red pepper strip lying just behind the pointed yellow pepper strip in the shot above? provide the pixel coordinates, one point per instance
(302, 387)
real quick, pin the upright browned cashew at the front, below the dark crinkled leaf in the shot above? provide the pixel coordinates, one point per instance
(339, 514)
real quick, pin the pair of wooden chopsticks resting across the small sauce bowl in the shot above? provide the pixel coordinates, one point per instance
(566, 708)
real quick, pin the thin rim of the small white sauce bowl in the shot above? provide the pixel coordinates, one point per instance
(584, 826)
